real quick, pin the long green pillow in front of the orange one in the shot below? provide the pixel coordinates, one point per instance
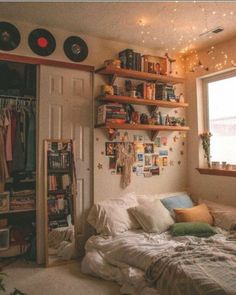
(198, 229)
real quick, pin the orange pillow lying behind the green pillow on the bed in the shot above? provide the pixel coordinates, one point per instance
(198, 213)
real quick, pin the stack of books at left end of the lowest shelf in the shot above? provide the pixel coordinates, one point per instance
(111, 113)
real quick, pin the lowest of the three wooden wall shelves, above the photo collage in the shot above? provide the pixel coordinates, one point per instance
(155, 129)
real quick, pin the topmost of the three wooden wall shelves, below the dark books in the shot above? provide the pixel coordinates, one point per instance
(131, 74)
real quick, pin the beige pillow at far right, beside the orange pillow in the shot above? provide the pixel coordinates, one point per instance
(224, 216)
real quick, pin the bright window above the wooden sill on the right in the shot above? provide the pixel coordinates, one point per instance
(221, 117)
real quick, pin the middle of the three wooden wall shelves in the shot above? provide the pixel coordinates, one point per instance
(142, 101)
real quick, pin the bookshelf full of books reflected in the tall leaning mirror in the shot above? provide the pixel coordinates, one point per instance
(59, 192)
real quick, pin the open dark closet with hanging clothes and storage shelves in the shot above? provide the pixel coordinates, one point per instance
(18, 159)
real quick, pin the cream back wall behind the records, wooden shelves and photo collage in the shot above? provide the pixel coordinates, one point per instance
(173, 177)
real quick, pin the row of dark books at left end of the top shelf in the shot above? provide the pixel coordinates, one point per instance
(130, 60)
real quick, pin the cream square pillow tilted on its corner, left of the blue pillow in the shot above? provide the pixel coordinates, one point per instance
(152, 216)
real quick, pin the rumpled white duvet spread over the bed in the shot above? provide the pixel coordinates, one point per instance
(126, 257)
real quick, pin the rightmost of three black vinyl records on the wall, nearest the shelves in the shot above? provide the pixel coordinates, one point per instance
(75, 48)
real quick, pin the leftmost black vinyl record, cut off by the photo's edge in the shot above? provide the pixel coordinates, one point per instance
(9, 36)
